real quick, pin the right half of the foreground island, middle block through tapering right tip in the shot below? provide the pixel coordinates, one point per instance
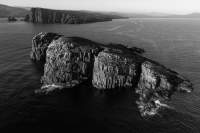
(153, 83)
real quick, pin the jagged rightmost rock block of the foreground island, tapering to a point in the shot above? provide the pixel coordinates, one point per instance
(156, 85)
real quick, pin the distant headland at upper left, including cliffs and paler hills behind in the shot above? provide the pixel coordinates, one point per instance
(50, 16)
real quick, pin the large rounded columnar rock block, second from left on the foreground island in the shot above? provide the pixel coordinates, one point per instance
(68, 63)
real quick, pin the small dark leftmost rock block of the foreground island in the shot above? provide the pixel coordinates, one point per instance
(40, 43)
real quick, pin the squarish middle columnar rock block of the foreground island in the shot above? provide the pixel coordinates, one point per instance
(114, 71)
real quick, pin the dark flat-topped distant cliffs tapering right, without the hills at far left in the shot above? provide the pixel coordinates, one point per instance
(49, 16)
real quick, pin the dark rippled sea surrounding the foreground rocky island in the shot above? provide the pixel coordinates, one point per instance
(172, 42)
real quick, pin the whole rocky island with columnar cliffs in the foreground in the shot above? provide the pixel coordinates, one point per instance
(72, 61)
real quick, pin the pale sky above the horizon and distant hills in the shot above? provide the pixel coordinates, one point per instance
(164, 6)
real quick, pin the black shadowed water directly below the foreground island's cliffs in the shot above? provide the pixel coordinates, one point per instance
(81, 109)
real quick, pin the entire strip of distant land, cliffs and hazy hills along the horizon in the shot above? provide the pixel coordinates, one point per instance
(50, 16)
